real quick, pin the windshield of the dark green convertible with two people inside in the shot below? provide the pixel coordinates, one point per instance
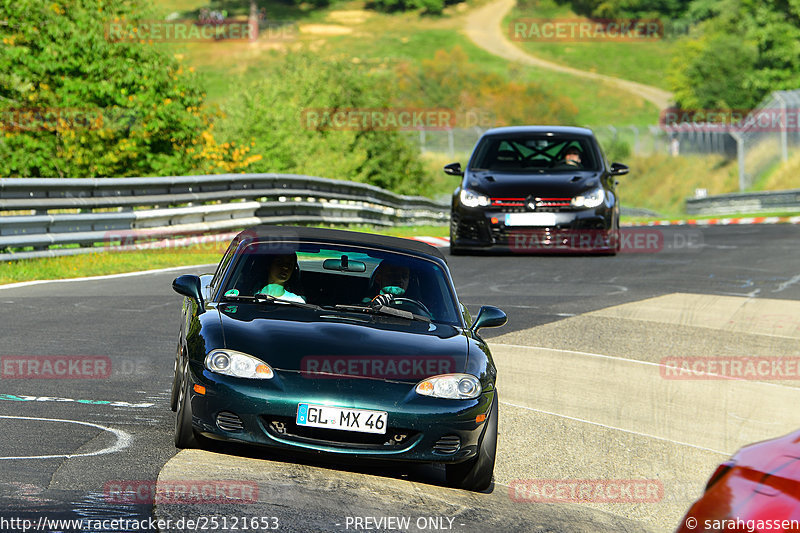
(338, 275)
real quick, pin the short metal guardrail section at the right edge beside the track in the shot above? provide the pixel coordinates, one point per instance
(754, 202)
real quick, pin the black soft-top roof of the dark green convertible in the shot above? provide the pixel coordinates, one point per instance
(335, 236)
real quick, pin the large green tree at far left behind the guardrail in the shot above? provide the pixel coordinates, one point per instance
(74, 103)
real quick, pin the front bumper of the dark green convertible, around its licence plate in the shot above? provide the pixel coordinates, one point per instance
(420, 429)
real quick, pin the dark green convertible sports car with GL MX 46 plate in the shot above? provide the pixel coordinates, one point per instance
(341, 343)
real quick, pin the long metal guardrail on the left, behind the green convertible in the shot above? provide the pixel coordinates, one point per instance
(87, 212)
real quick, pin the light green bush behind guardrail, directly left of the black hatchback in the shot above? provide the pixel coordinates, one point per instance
(276, 115)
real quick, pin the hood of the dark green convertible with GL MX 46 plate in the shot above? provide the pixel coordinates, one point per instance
(297, 340)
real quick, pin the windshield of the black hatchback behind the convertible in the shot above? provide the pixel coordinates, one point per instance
(526, 152)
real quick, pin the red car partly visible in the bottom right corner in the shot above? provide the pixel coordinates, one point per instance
(757, 490)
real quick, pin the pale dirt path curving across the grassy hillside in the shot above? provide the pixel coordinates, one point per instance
(484, 27)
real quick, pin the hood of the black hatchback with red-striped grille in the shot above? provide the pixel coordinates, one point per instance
(522, 185)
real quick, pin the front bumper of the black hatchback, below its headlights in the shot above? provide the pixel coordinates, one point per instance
(585, 230)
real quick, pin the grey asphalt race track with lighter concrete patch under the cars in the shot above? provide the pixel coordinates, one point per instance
(585, 397)
